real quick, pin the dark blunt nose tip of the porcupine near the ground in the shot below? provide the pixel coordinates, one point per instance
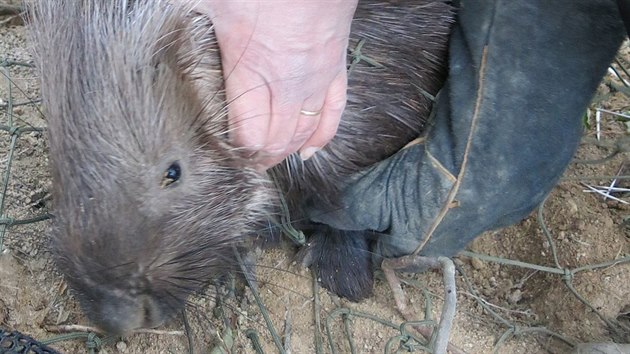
(120, 316)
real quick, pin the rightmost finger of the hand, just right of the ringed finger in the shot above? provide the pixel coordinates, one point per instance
(334, 105)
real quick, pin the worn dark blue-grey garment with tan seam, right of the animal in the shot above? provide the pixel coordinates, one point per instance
(505, 127)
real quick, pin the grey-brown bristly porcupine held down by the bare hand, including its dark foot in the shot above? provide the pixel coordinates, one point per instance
(130, 87)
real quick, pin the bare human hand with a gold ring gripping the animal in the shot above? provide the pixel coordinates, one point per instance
(284, 64)
